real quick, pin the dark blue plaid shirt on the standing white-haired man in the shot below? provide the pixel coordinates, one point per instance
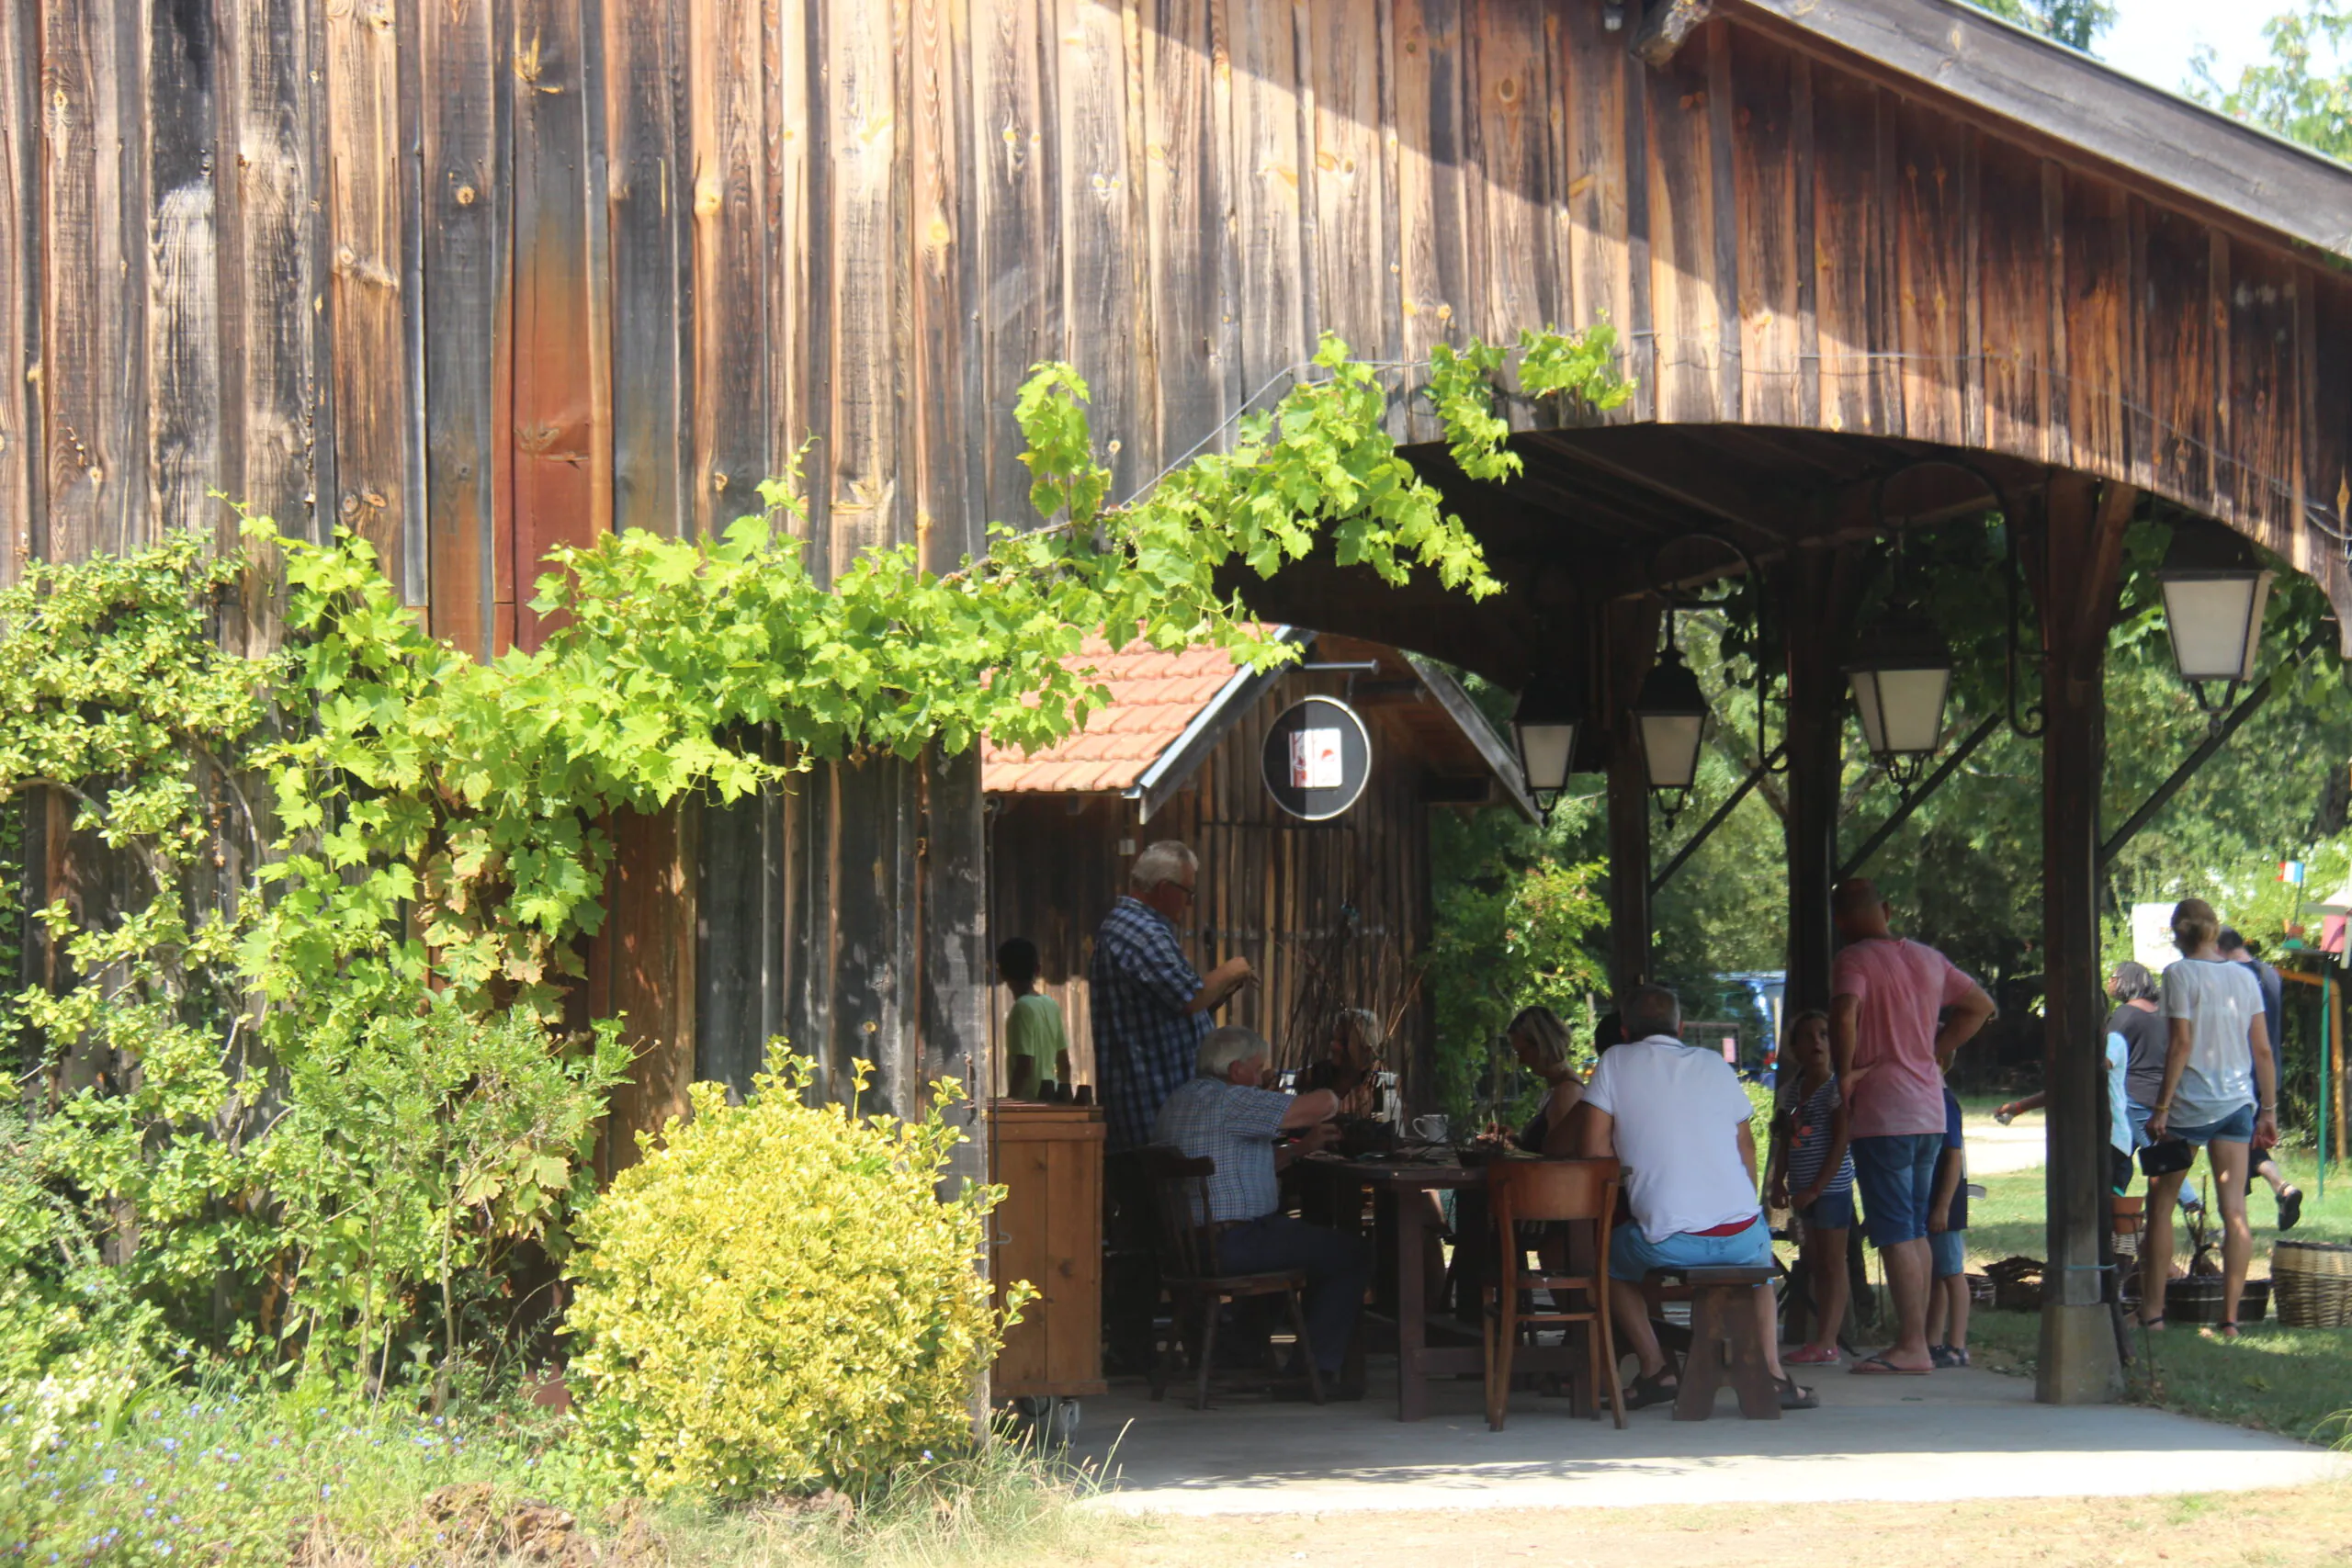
(1144, 1038)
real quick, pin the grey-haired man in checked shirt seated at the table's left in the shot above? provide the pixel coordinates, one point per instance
(1227, 1118)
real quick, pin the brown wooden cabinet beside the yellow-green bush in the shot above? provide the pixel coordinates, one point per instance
(1050, 1233)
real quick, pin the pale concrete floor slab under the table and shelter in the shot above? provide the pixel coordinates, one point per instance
(1890, 1440)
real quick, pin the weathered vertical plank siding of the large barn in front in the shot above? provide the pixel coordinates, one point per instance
(486, 276)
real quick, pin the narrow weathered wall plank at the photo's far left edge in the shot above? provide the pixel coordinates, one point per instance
(20, 295)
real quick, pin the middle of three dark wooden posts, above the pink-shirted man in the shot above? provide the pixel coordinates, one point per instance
(1817, 730)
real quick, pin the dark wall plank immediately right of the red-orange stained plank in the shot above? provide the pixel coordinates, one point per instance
(648, 74)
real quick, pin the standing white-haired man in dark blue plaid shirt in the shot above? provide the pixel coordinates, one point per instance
(1151, 1012)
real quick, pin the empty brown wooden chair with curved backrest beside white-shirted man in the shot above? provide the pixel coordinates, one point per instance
(1530, 1193)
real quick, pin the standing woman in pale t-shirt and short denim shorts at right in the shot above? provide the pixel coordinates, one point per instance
(2219, 1094)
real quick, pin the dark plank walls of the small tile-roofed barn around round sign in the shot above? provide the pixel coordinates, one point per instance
(1271, 890)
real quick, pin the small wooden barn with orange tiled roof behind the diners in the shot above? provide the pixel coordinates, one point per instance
(1330, 913)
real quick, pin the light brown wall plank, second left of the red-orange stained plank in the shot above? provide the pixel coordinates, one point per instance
(366, 225)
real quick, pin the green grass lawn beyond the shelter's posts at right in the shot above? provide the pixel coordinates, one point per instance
(2294, 1381)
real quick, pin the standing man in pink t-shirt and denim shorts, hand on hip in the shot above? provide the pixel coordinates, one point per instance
(1897, 1017)
